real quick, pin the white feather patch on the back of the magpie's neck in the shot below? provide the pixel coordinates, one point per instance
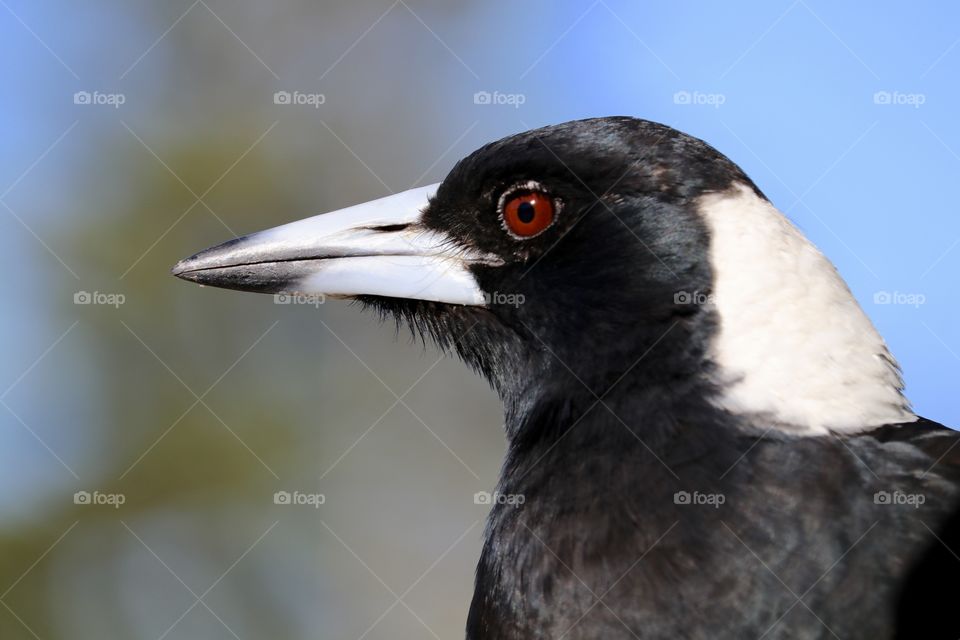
(793, 347)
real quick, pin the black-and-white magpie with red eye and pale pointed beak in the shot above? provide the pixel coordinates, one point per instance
(710, 437)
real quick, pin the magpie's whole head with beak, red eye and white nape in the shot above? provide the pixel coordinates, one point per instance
(557, 260)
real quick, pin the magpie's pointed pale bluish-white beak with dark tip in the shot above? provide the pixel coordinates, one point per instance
(378, 248)
